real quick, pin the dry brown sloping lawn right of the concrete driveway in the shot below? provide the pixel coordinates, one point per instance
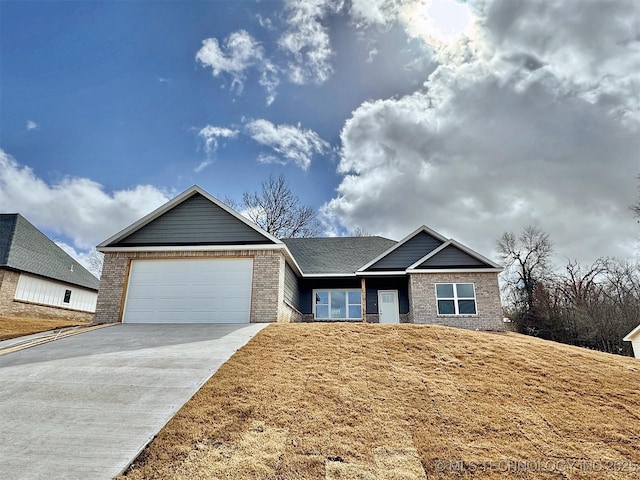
(356, 401)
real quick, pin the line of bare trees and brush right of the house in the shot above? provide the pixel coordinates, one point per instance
(592, 306)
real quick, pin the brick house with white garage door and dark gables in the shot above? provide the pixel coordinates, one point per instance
(197, 260)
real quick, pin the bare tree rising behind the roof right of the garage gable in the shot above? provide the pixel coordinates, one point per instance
(278, 211)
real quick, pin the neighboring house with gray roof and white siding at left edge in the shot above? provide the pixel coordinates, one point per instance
(38, 278)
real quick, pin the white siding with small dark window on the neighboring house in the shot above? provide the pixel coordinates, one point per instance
(48, 292)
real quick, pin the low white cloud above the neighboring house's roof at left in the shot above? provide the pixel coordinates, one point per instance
(78, 208)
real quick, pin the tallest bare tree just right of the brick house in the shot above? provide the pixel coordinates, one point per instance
(526, 257)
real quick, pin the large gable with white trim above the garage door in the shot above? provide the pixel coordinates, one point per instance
(192, 218)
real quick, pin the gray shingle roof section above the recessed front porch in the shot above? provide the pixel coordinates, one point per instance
(335, 255)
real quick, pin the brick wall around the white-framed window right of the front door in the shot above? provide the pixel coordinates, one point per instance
(422, 295)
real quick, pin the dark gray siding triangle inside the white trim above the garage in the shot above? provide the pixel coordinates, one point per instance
(194, 221)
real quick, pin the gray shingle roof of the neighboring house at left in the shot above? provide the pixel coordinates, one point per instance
(25, 248)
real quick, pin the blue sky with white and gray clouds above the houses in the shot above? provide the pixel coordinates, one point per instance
(474, 118)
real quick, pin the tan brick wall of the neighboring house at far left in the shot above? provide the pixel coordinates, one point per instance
(18, 308)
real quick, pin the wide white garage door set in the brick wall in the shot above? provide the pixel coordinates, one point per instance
(189, 291)
